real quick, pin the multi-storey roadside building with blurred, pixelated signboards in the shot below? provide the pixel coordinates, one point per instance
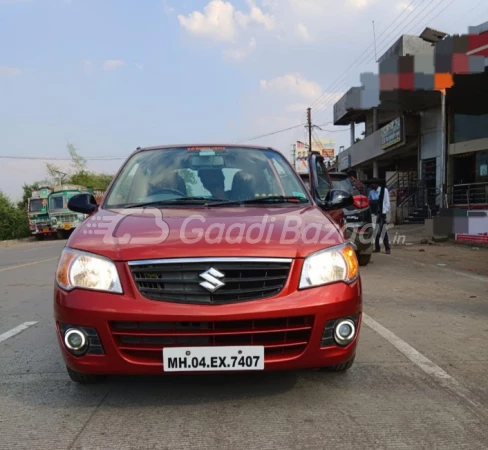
(426, 119)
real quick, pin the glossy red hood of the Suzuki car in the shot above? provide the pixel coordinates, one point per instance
(284, 232)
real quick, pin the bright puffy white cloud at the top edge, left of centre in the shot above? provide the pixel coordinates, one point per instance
(217, 21)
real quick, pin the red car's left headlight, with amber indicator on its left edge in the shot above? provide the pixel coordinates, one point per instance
(83, 270)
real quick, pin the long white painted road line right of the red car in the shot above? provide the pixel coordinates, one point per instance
(423, 362)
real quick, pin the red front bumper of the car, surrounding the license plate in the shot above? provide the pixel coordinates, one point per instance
(123, 351)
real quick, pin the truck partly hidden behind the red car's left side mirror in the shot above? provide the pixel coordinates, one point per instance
(63, 220)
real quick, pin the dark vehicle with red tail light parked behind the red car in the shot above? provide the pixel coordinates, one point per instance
(359, 223)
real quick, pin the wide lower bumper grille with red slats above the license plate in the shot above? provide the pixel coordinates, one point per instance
(144, 341)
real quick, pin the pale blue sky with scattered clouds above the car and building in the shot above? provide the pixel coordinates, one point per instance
(111, 75)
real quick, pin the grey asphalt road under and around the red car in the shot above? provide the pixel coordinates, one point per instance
(419, 382)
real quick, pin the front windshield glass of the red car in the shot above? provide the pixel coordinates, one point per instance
(213, 173)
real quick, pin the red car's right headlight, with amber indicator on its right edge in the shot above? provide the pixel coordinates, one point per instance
(330, 266)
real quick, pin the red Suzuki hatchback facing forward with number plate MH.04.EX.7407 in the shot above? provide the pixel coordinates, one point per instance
(208, 258)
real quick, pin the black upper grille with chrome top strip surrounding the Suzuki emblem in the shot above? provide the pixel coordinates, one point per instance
(181, 281)
